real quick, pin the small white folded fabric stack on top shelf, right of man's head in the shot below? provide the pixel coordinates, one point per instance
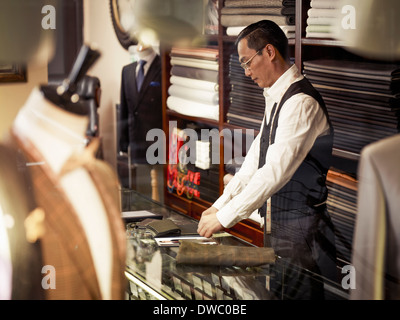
(322, 19)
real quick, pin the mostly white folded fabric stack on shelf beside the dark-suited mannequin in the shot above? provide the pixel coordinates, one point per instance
(194, 82)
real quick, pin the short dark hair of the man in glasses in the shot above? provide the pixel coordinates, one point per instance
(261, 33)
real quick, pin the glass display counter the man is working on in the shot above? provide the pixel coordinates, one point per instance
(154, 274)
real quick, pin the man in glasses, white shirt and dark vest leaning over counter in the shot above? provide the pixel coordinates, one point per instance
(287, 162)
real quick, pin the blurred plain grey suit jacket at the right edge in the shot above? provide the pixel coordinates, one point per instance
(376, 245)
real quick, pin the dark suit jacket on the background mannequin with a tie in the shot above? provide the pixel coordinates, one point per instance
(140, 111)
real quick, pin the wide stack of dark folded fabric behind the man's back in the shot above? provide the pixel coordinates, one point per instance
(362, 98)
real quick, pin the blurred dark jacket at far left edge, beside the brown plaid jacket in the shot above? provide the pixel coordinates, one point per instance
(17, 201)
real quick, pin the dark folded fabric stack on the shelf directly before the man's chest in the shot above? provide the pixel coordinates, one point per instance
(247, 101)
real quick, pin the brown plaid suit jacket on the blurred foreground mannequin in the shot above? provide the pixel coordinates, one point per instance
(64, 244)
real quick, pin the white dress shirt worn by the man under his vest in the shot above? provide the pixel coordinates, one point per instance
(301, 121)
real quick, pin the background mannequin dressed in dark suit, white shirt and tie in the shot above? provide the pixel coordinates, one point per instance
(140, 112)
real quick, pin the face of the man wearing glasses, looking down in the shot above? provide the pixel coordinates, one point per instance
(259, 68)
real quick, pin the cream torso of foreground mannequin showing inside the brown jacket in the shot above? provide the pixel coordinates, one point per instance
(57, 135)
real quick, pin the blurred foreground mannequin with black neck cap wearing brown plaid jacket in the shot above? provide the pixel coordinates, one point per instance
(84, 239)
